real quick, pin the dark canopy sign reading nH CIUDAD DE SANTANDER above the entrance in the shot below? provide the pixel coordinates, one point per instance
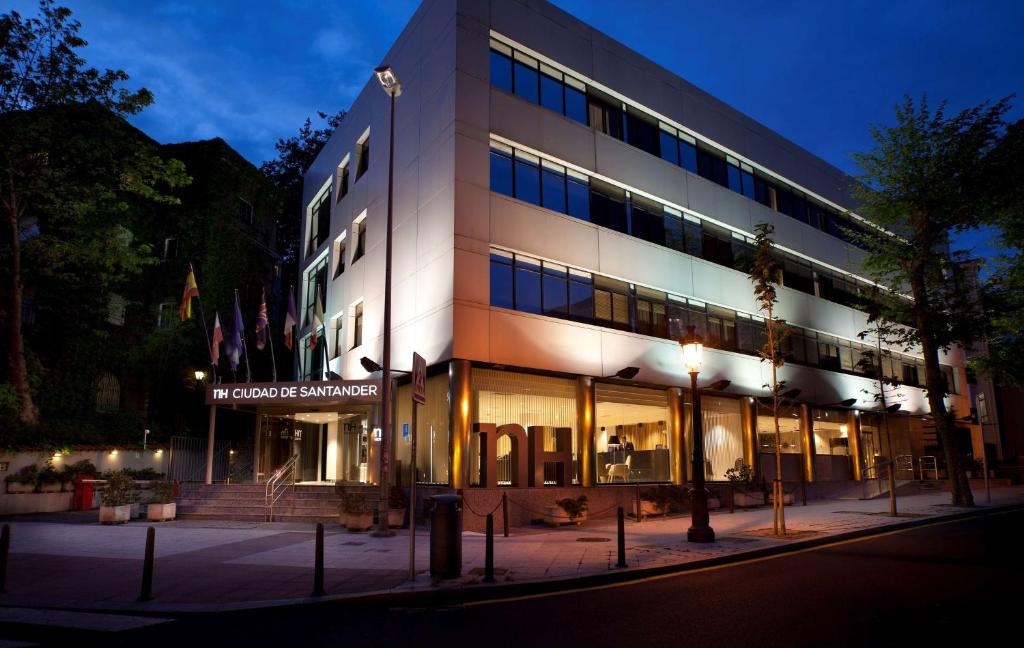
(322, 394)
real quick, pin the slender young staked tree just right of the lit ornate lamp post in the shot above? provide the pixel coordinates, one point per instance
(765, 273)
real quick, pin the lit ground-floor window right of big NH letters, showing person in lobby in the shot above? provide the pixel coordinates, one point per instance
(633, 439)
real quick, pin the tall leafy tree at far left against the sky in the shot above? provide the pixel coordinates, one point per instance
(68, 195)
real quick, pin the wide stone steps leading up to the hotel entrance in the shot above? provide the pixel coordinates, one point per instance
(247, 503)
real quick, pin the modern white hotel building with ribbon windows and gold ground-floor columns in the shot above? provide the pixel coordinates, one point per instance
(564, 209)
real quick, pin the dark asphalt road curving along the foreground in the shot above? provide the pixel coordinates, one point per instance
(933, 586)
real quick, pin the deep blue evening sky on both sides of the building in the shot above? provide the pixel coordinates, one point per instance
(821, 73)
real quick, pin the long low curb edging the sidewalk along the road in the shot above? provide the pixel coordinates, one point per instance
(481, 593)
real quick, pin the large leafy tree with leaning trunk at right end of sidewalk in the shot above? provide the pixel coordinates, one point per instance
(925, 181)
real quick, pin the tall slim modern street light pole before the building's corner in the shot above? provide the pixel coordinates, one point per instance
(391, 84)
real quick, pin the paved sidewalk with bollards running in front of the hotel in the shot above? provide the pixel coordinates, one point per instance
(210, 566)
